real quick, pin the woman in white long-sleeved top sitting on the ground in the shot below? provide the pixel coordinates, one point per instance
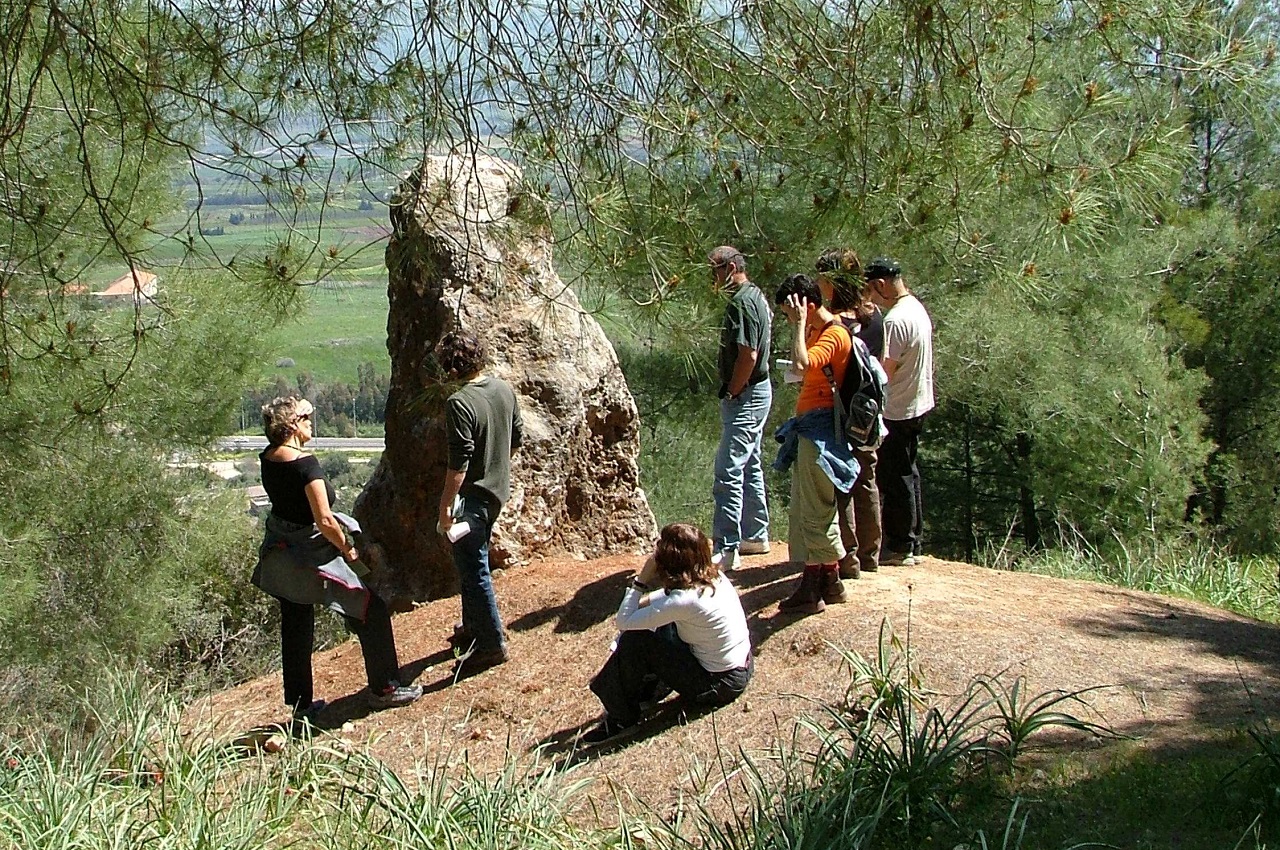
(683, 629)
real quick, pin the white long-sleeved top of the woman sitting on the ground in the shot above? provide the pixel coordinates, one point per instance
(710, 620)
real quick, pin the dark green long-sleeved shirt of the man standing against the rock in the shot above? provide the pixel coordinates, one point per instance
(483, 426)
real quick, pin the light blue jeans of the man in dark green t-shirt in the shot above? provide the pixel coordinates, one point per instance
(742, 513)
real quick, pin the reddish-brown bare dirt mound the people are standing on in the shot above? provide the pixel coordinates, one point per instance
(1180, 669)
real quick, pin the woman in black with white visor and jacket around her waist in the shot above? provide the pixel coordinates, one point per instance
(307, 560)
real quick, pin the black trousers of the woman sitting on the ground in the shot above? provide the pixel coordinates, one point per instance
(644, 657)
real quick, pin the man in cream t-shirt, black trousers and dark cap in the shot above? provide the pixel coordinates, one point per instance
(908, 362)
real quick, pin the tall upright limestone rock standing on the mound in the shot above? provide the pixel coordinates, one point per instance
(463, 255)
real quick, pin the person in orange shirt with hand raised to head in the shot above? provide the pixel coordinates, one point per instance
(824, 464)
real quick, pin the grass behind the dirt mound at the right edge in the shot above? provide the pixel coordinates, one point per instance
(1191, 570)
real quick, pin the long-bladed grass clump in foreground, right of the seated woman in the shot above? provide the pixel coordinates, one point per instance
(894, 765)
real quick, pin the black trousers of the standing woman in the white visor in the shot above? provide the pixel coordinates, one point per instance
(298, 641)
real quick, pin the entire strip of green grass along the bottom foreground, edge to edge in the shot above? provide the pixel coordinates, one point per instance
(889, 766)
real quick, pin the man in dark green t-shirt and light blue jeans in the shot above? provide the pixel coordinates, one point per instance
(740, 522)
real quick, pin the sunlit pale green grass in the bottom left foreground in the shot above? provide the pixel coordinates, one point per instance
(131, 779)
